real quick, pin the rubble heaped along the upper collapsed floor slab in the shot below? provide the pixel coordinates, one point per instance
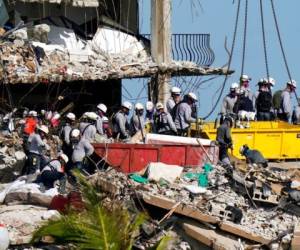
(47, 53)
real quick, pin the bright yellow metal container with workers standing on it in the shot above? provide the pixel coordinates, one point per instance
(276, 139)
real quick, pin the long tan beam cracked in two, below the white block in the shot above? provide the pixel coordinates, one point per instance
(185, 210)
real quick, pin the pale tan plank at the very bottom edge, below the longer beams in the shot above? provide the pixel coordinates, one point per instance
(210, 237)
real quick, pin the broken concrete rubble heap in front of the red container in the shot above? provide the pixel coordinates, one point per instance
(223, 204)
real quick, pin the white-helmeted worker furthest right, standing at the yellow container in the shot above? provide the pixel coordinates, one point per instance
(285, 111)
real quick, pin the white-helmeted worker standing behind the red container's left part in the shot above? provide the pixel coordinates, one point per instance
(120, 122)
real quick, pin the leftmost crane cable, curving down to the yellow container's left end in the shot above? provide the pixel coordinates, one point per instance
(229, 61)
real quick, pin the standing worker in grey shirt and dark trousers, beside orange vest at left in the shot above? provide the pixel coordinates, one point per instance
(36, 146)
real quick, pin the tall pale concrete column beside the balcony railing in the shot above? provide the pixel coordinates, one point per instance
(161, 47)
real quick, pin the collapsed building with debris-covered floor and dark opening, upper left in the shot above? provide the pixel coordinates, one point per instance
(78, 52)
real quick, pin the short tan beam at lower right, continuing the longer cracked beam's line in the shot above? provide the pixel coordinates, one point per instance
(243, 232)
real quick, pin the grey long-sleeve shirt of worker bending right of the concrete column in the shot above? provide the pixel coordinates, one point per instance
(183, 117)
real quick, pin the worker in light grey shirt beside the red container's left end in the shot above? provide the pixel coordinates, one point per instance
(82, 148)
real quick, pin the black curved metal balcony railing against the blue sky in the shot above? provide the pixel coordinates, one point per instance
(191, 47)
